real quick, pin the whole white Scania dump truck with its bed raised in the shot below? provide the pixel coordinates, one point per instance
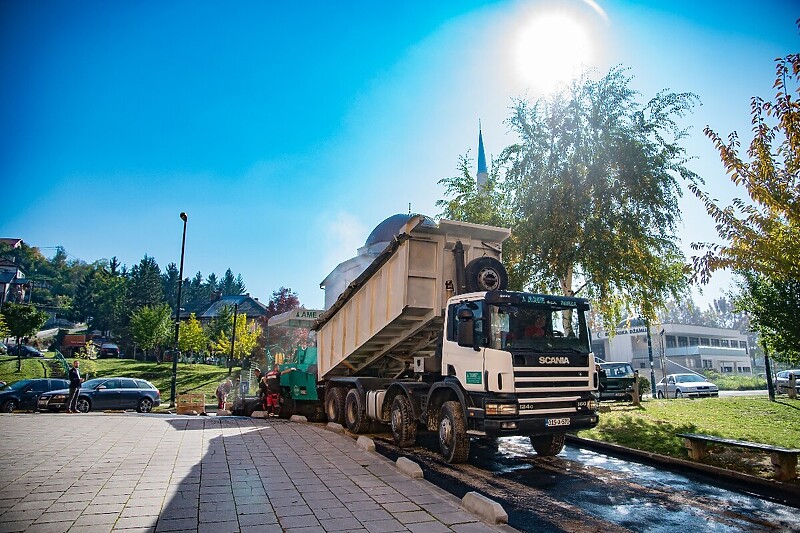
(428, 337)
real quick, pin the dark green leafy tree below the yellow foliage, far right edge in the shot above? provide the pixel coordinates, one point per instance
(773, 308)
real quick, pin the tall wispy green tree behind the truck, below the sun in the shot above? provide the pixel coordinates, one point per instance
(590, 192)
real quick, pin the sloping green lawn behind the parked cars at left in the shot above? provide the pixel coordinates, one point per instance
(198, 378)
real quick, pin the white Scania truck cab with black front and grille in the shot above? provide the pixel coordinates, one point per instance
(523, 360)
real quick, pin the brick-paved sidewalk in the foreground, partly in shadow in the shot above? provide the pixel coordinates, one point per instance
(129, 472)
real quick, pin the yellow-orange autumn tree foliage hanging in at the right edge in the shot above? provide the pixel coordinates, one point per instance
(762, 234)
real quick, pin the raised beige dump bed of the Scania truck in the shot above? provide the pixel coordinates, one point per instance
(393, 311)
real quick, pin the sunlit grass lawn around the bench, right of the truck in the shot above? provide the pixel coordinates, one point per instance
(653, 427)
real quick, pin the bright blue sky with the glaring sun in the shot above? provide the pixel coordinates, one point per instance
(288, 130)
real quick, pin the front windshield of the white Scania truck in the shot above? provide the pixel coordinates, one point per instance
(538, 328)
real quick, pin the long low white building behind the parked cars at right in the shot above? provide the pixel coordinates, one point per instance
(674, 346)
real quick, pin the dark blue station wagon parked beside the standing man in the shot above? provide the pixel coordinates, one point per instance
(106, 393)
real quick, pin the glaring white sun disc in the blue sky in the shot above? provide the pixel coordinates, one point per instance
(551, 49)
